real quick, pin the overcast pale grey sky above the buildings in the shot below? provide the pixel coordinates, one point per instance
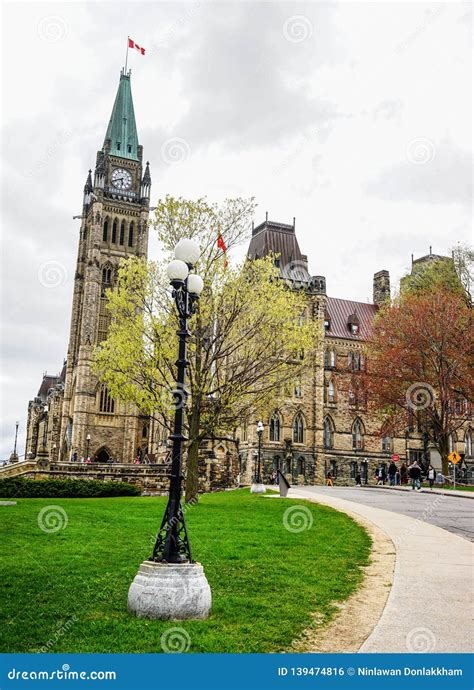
(353, 117)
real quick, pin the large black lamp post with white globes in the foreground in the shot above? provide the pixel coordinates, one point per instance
(172, 543)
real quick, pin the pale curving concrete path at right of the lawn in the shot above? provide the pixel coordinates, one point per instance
(430, 606)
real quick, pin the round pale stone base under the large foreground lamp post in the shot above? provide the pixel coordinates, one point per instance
(169, 591)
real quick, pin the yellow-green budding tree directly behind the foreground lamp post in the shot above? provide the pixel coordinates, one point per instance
(248, 335)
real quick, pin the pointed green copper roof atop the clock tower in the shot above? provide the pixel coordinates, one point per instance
(122, 130)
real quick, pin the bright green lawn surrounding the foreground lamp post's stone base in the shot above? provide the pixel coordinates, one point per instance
(71, 586)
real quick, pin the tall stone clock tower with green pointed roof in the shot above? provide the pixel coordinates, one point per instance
(114, 226)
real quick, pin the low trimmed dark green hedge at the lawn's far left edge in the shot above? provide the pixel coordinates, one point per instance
(19, 487)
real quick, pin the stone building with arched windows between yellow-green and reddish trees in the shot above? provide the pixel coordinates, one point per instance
(323, 426)
